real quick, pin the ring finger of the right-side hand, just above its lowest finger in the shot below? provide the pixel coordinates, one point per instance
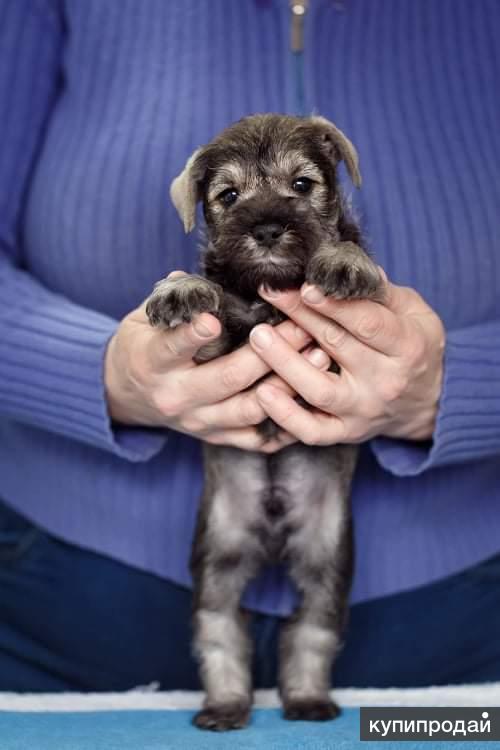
(326, 391)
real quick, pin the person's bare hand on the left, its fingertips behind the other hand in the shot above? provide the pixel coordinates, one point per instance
(151, 380)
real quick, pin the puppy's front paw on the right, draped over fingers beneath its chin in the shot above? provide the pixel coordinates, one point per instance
(345, 274)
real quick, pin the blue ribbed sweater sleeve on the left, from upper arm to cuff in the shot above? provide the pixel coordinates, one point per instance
(51, 350)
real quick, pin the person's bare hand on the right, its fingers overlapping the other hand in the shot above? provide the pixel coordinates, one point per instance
(391, 360)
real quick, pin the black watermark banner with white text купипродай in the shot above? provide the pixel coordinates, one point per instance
(430, 724)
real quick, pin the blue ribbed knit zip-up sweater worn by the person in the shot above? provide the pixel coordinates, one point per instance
(100, 105)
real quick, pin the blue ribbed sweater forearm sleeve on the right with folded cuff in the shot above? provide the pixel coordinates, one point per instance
(468, 420)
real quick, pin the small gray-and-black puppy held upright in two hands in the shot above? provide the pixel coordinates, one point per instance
(275, 215)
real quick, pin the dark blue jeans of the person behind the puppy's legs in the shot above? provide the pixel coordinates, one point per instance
(71, 619)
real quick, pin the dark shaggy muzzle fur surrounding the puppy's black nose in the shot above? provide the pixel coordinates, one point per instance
(238, 262)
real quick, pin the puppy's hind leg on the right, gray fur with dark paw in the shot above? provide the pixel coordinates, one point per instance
(319, 552)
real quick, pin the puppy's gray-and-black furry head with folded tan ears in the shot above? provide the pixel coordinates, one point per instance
(270, 195)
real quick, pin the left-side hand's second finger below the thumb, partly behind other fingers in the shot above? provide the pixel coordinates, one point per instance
(244, 409)
